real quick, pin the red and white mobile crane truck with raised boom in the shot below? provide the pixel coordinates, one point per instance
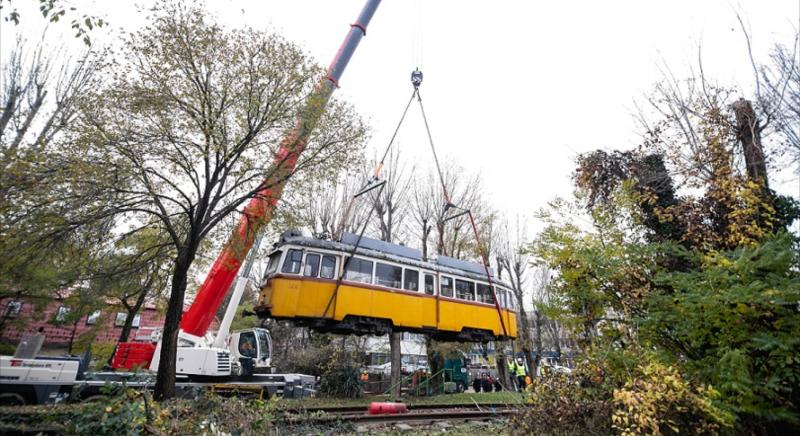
(239, 361)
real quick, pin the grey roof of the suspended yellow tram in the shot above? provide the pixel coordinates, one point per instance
(392, 252)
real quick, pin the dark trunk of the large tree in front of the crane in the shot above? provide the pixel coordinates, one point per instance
(165, 379)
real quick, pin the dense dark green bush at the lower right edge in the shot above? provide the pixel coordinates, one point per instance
(732, 322)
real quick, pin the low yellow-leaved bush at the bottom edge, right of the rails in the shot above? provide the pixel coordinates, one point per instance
(608, 394)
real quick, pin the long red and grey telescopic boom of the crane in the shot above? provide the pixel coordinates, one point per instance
(260, 209)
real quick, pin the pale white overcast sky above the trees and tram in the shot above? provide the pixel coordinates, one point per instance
(513, 89)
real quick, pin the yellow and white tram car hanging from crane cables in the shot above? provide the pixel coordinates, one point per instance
(384, 287)
